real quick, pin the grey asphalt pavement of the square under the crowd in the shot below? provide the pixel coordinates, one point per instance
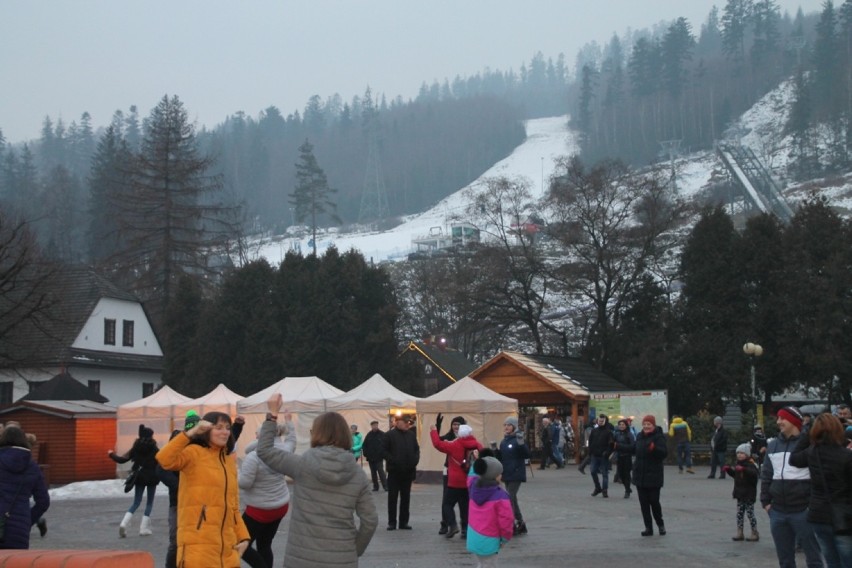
(567, 526)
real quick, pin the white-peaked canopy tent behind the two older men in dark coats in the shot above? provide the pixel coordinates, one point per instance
(374, 399)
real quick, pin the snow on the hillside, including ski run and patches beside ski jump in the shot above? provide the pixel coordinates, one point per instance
(548, 138)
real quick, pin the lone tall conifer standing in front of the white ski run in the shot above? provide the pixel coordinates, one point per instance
(312, 196)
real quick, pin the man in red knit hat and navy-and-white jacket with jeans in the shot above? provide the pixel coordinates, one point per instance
(785, 492)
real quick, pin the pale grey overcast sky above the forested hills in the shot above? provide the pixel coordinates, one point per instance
(64, 57)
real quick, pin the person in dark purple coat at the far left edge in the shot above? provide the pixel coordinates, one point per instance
(20, 480)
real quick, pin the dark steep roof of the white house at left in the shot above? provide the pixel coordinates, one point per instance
(75, 292)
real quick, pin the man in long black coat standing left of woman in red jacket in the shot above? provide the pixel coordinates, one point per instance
(402, 454)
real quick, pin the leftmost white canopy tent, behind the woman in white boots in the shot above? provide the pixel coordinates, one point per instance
(157, 412)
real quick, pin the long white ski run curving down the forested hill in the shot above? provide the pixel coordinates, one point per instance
(547, 139)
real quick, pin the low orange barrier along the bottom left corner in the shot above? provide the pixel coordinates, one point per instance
(75, 559)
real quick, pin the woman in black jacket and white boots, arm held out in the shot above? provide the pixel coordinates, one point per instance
(143, 455)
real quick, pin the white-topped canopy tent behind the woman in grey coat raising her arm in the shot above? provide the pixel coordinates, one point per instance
(304, 397)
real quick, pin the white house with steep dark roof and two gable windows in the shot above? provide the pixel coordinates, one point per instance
(98, 333)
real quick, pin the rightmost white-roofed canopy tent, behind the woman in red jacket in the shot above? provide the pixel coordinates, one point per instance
(483, 409)
